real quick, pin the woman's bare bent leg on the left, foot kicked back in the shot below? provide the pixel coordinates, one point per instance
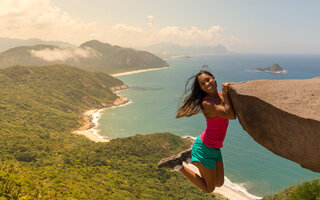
(207, 181)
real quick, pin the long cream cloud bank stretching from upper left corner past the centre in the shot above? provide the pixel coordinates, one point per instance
(41, 19)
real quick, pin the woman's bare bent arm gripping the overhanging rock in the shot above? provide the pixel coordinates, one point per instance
(212, 110)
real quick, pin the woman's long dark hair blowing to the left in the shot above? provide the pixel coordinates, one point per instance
(192, 103)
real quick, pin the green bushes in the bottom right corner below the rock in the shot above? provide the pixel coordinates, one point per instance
(307, 191)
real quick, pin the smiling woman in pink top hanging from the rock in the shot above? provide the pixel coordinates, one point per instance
(206, 153)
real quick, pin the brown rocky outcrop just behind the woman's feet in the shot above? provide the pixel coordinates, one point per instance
(174, 160)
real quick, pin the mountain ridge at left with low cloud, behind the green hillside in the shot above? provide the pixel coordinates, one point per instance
(92, 55)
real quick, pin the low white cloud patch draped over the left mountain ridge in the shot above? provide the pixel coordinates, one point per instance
(58, 54)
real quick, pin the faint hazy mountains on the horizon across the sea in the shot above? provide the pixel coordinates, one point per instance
(166, 50)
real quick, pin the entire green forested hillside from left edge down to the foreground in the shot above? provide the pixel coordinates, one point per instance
(42, 159)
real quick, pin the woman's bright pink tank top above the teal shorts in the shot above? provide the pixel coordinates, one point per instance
(216, 130)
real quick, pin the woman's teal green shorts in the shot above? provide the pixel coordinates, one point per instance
(204, 154)
